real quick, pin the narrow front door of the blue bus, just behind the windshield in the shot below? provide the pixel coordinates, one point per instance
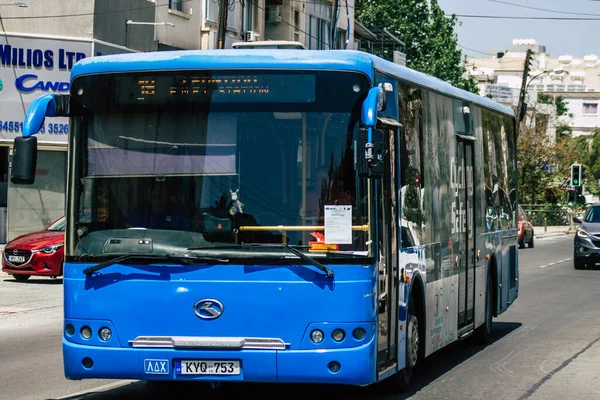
(387, 260)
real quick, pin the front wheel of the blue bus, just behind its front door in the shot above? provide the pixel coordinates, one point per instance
(400, 382)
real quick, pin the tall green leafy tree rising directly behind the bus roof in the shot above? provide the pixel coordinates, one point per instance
(429, 37)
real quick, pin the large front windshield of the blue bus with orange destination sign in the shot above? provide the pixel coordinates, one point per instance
(180, 160)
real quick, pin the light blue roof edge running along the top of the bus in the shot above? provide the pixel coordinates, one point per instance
(342, 60)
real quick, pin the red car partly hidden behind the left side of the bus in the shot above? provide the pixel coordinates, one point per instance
(38, 253)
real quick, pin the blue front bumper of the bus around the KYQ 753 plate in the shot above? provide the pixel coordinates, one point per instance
(356, 364)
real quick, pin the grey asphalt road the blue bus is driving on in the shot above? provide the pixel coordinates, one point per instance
(544, 345)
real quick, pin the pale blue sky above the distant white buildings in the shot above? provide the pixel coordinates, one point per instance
(483, 35)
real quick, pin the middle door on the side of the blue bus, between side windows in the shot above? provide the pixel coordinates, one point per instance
(464, 226)
